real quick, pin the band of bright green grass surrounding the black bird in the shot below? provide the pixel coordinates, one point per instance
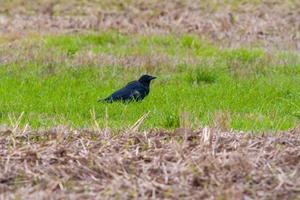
(249, 88)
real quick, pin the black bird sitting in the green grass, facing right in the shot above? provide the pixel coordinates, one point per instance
(133, 91)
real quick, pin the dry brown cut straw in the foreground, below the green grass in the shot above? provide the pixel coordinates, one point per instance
(97, 164)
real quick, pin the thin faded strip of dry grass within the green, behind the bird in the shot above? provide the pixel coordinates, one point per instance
(22, 55)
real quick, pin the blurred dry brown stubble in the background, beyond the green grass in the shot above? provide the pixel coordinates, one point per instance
(269, 23)
